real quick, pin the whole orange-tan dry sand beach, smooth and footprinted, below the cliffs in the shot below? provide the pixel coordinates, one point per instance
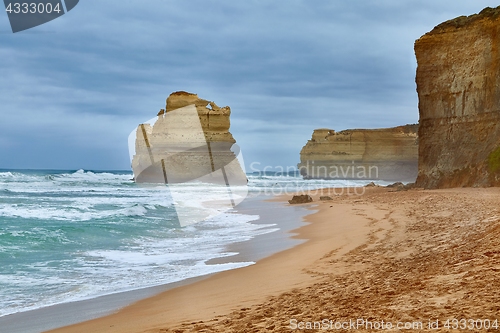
(397, 257)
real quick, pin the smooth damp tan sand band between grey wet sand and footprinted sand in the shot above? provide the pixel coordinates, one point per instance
(243, 287)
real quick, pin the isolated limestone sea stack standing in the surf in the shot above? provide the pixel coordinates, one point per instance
(188, 141)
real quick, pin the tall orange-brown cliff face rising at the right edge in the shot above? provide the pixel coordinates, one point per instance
(458, 85)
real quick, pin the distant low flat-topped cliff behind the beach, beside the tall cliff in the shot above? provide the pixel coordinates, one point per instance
(387, 154)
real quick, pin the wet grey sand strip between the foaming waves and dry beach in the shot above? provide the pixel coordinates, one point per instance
(73, 312)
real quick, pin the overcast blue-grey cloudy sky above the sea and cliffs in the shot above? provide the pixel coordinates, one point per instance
(73, 89)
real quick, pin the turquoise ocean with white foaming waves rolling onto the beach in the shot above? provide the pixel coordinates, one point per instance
(78, 234)
